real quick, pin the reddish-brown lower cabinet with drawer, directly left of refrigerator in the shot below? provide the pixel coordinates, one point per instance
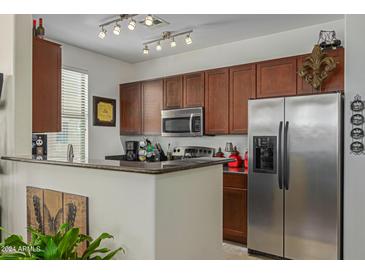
(235, 207)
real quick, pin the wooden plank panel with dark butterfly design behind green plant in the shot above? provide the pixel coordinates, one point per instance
(48, 209)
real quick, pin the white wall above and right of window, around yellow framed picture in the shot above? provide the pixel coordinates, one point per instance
(105, 75)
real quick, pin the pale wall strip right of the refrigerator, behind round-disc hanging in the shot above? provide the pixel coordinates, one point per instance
(354, 185)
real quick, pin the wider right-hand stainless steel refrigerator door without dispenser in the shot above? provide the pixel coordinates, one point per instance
(313, 172)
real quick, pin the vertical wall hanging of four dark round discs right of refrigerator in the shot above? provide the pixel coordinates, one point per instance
(357, 122)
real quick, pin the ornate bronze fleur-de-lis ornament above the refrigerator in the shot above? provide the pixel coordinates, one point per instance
(316, 67)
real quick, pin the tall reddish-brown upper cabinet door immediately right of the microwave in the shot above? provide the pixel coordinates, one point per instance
(216, 101)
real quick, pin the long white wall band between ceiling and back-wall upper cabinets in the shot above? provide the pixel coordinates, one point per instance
(288, 43)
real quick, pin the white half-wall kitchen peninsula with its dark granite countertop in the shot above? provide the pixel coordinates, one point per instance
(161, 210)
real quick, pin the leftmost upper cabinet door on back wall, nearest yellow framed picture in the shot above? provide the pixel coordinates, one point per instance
(130, 109)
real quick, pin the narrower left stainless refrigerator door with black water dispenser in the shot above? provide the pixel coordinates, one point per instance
(265, 197)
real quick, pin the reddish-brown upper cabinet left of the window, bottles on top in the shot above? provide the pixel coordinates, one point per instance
(46, 101)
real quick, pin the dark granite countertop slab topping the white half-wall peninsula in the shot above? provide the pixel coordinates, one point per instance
(127, 166)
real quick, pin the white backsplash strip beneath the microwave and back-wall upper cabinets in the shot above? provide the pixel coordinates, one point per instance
(241, 141)
